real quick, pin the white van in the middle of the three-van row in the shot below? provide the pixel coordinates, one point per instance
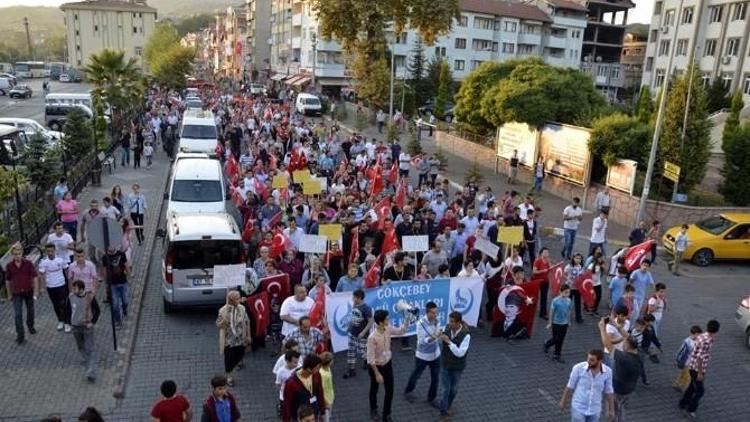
(197, 185)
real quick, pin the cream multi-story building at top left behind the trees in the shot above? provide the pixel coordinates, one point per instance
(93, 25)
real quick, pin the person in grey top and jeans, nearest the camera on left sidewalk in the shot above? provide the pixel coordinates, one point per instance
(82, 319)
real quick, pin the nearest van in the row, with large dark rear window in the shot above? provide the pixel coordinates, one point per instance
(193, 245)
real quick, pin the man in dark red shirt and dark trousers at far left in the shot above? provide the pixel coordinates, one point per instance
(22, 283)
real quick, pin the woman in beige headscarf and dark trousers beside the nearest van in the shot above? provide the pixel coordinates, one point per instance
(234, 332)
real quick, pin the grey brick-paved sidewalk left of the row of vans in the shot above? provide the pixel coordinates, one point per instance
(44, 377)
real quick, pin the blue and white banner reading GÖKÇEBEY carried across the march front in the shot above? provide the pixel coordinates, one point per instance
(456, 294)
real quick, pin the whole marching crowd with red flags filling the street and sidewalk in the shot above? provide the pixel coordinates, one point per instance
(270, 154)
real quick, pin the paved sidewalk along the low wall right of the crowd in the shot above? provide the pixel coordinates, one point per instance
(552, 205)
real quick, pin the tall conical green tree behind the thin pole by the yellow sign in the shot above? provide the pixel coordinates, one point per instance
(692, 155)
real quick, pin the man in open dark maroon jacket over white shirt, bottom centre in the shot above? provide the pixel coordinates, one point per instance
(304, 387)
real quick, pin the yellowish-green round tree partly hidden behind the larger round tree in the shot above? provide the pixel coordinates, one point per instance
(474, 85)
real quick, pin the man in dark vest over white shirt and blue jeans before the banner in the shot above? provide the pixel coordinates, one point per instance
(456, 339)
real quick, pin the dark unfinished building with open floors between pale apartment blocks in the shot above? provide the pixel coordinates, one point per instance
(602, 45)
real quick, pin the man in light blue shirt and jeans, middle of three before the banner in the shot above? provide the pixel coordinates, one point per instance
(427, 354)
